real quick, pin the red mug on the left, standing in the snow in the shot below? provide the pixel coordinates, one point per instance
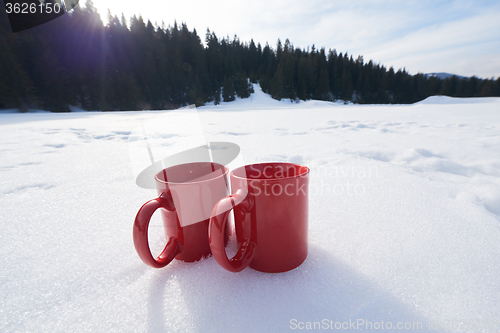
(187, 193)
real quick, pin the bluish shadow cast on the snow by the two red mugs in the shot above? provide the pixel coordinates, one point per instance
(323, 291)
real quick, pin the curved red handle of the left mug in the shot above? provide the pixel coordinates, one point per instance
(141, 225)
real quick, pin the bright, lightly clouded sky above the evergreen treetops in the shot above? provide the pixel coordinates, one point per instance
(425, 36)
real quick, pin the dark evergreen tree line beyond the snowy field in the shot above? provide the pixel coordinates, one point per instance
(76, 60)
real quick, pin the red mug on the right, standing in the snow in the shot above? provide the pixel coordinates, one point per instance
(270, 203)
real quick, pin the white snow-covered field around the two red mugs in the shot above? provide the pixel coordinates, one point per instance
(404, 222)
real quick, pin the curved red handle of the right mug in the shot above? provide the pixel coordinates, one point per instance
(216, 231)
